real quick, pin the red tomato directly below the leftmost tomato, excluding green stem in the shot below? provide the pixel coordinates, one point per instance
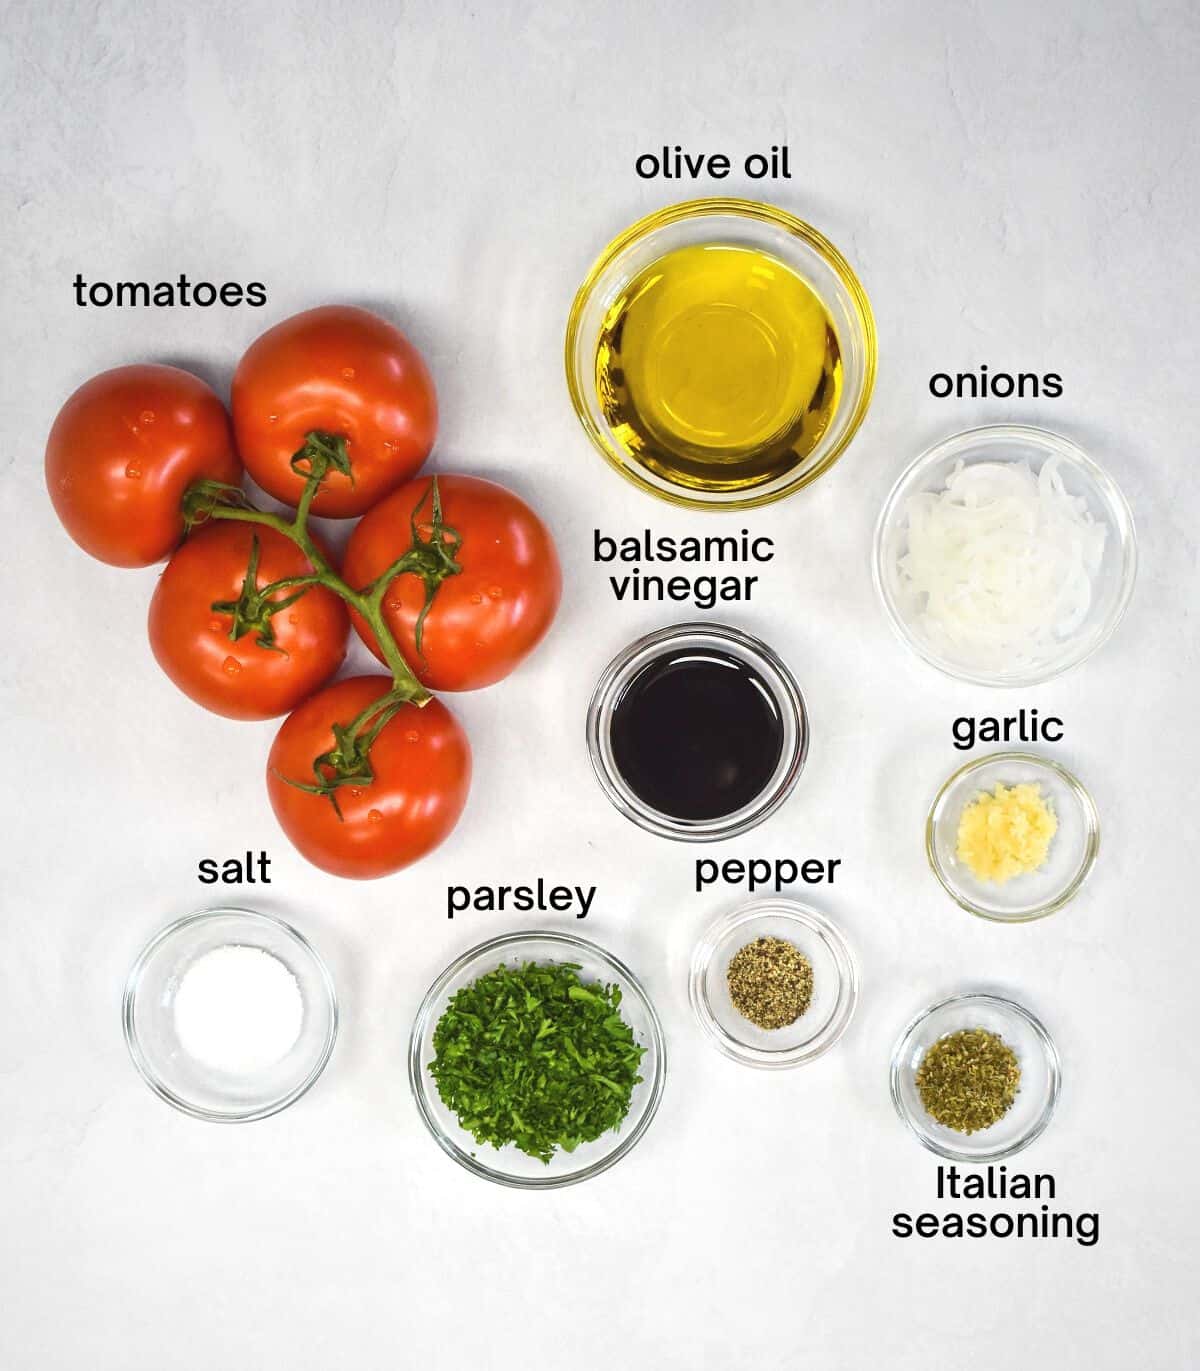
(243, 679)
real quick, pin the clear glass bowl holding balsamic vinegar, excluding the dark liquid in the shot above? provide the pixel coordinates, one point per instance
(699, 637)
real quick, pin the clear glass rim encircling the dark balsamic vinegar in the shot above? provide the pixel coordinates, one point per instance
(730, 826)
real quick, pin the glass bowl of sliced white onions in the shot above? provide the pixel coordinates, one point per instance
(1005, 556)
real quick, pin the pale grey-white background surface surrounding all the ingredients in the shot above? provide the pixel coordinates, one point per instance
(1017, 186)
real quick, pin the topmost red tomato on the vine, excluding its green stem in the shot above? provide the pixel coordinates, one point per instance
(344, 372)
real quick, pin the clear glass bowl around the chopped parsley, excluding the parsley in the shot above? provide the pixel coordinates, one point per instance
(509, 1166)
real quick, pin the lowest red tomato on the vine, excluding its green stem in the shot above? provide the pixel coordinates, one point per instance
(422, 767)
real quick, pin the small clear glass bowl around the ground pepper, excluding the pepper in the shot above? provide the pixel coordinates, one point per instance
(835, 985)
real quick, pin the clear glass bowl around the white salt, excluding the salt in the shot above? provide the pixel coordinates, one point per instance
(194, 1087)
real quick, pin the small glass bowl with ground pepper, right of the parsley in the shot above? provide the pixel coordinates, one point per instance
(774, 984)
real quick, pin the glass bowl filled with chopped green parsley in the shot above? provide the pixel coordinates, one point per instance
(537, 1060)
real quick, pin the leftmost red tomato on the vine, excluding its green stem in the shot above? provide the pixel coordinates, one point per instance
(121, 454)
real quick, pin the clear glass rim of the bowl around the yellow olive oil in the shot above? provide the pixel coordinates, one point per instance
(755, 212)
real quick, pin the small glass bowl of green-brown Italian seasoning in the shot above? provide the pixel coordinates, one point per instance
(976, 1078)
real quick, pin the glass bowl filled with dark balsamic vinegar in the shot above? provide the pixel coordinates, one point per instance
(697, 731)
